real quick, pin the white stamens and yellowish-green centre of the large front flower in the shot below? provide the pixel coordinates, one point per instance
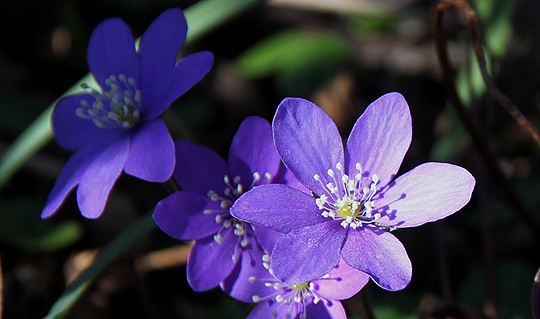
(353, 206)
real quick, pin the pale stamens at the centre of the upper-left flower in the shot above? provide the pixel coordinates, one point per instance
(117, 107)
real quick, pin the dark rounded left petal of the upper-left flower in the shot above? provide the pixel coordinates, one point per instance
(71, 131)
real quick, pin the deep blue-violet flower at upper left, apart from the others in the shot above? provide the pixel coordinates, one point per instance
(117, 128)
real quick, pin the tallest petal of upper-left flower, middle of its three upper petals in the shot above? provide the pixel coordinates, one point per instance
(157, 52)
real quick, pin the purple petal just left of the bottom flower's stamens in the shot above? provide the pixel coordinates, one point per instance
(238, 284)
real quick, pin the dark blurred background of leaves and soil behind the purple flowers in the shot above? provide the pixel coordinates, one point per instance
(341, 54)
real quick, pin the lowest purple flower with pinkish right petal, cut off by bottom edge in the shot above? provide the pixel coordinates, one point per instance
(315, 299)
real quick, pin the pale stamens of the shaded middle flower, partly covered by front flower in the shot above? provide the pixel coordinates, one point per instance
(233, 189)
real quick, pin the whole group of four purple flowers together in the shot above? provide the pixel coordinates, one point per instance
(293, 221)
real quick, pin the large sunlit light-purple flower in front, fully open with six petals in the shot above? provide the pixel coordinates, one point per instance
(356, 201)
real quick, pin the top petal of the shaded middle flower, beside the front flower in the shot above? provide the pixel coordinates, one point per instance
(252, 150)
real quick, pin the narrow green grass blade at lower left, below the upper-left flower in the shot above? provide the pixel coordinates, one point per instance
(72, 293)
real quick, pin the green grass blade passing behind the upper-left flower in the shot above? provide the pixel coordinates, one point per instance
(202, 18)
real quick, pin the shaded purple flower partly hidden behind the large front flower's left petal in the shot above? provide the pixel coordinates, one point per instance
(210, 186)
